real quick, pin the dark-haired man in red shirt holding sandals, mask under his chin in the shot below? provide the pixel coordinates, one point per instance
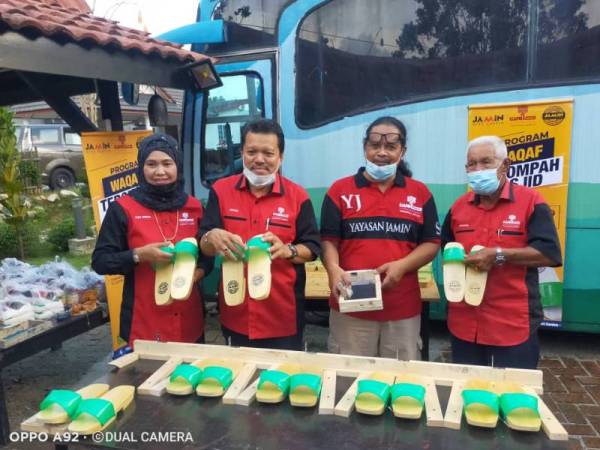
(261, 201)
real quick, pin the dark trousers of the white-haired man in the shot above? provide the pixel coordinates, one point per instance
(521, 356)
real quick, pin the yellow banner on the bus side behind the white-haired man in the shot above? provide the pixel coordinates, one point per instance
(538, 138)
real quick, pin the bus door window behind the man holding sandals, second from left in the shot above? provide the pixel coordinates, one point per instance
(229, 108)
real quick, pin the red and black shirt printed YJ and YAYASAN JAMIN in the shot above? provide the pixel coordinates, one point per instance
(373, 227)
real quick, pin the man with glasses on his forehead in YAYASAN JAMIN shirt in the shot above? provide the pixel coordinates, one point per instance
(382, 219)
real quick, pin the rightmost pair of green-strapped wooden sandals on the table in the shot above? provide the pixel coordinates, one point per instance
(484, 402)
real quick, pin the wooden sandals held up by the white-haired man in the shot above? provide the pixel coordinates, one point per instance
(460, 282)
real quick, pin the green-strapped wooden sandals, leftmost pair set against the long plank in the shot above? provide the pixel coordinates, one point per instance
(208, 377)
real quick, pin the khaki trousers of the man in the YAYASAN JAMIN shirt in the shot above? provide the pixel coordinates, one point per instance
(398, 339)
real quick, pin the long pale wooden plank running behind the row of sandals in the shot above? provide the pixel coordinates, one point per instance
(344, 365)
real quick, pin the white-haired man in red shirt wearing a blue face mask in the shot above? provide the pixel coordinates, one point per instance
(515, 226)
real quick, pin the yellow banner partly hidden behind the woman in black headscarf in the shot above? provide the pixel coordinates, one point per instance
(111, 163)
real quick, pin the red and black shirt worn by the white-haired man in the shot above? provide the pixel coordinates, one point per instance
(511, 308)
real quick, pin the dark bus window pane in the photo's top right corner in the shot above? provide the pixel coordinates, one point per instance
(568, 32)
